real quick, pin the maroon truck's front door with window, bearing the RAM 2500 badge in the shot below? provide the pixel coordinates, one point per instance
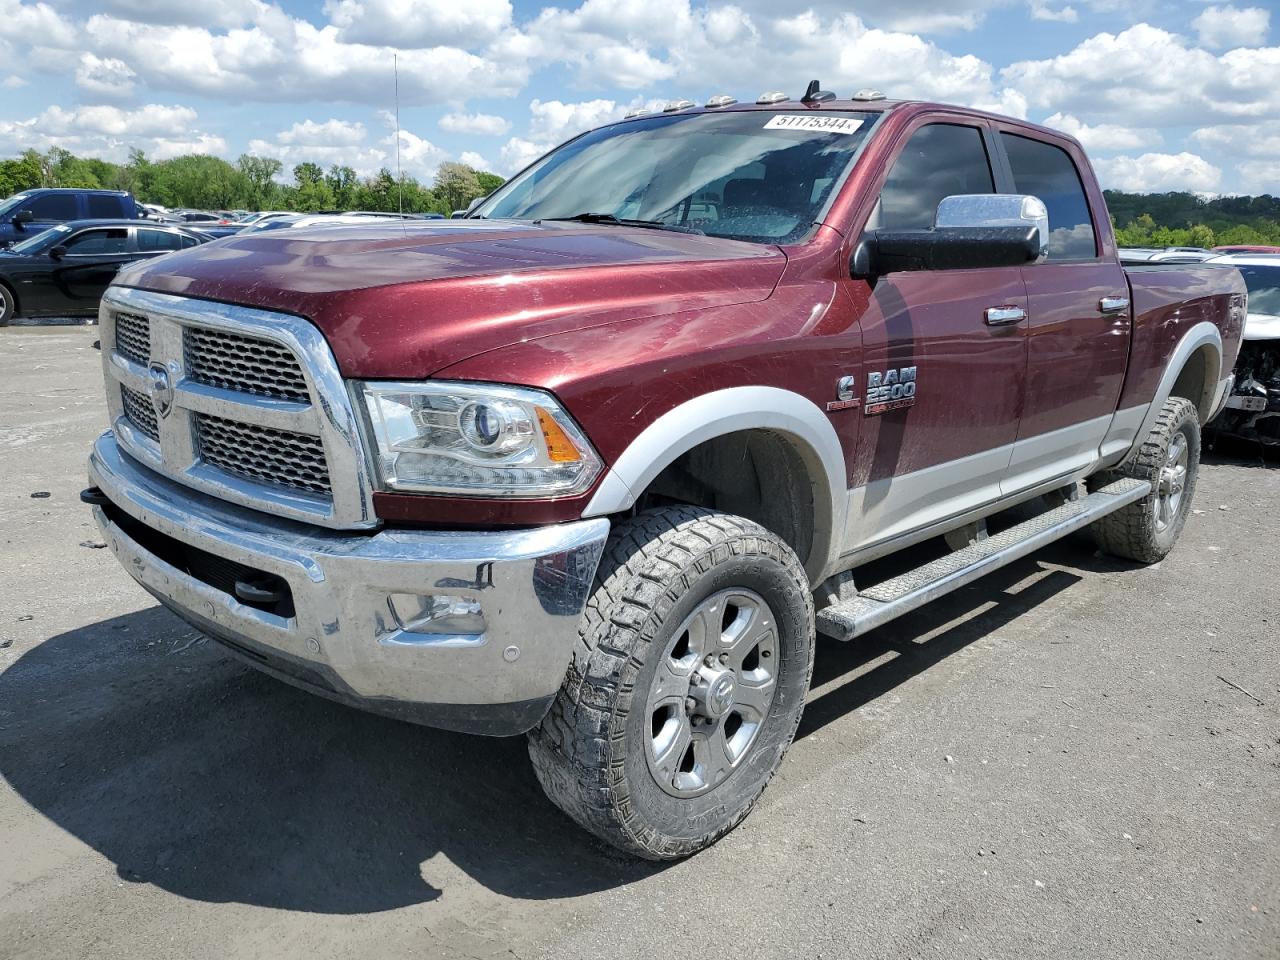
(941, 390)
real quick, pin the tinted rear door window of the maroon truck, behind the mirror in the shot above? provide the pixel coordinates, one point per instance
(1049, 173)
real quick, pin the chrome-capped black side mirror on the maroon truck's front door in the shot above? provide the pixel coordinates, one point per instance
(970, 232)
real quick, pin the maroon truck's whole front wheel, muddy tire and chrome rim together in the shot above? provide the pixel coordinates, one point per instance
(688, 684)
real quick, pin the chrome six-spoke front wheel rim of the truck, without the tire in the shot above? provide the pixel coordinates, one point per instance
(712, 693)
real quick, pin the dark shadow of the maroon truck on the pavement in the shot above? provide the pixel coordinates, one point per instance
(212, 781)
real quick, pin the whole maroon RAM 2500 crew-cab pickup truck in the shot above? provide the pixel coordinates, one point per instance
(598, 461)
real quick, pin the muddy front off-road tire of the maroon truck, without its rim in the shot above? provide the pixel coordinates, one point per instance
(589, 752)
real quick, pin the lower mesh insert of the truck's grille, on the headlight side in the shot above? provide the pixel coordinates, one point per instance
(263, 454)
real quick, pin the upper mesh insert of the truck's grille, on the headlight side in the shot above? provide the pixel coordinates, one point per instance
(246, 364)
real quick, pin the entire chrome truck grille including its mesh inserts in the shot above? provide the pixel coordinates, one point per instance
(258, 413)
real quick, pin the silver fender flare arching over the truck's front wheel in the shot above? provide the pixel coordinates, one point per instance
(728, 412)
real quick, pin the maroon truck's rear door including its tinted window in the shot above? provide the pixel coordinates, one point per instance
(1080, 326)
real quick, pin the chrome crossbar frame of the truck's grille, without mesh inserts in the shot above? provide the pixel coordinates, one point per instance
(330, 417)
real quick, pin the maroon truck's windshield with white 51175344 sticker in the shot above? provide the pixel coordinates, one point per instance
(752, 176)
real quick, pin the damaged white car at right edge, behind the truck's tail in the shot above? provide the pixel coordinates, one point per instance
(1254, 406)
